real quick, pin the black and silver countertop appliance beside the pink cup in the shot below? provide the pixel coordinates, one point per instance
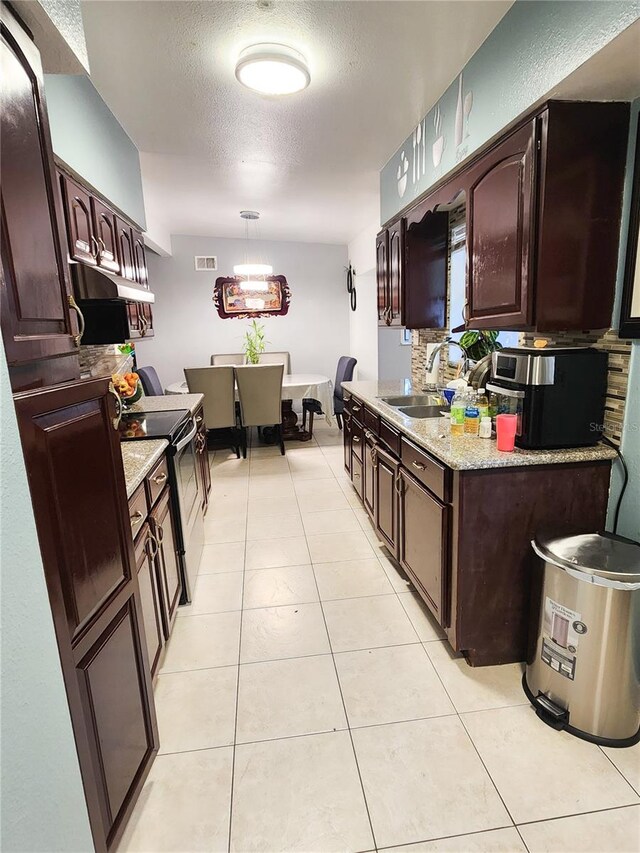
(558, 394)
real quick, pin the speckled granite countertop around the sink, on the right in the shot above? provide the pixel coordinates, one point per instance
(434, 435)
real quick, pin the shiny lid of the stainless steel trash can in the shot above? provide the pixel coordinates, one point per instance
(601, 554)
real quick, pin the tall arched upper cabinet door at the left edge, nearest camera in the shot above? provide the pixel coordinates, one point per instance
(34, 287)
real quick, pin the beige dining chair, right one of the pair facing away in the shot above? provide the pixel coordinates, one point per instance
(260, 396)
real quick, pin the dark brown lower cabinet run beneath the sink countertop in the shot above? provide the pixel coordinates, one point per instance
(463, 537)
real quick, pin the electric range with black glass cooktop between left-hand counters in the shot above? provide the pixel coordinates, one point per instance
(179, 429)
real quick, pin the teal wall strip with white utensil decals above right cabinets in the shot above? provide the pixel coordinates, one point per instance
(533, 48)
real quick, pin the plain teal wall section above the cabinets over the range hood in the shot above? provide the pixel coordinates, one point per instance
(88, 138)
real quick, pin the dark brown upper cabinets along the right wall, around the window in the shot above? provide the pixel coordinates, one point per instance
(543, 207)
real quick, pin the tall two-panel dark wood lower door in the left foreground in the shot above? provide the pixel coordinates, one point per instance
(75, 473)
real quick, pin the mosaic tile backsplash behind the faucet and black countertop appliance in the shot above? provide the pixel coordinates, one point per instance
(619, 358)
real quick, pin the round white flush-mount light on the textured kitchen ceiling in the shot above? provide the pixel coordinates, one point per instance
(273, 69)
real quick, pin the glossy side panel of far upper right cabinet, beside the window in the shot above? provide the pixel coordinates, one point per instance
(424, 303)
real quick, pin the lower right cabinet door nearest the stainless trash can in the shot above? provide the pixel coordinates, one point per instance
(423, 544)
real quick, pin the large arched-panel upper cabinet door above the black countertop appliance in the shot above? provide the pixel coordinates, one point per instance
(501, 234)
